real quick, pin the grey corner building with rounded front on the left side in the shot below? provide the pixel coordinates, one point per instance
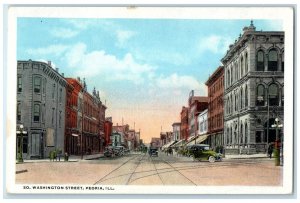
(41, 101)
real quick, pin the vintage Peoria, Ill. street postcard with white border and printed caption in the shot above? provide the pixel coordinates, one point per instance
(149, 100)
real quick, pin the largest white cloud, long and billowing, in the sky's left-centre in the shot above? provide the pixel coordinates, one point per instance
(99, 63)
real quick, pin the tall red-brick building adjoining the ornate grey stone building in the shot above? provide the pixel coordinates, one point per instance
(215, 113)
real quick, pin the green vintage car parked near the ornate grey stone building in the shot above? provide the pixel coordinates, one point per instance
(202, 152)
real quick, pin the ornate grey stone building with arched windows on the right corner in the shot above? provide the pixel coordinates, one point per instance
(254, 90)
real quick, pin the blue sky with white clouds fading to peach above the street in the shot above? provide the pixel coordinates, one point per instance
(143, 68)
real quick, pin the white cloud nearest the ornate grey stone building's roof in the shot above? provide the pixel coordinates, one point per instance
(214, 43)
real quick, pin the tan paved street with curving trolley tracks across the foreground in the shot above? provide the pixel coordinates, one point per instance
(140, 169)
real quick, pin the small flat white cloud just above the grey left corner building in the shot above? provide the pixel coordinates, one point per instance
(50, 50)
